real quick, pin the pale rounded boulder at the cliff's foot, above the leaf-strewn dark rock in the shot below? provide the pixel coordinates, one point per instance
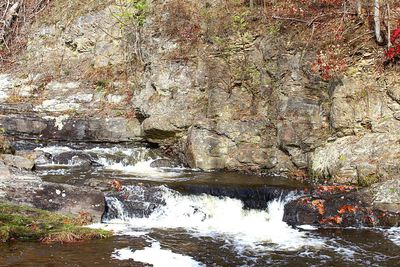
(362, 160)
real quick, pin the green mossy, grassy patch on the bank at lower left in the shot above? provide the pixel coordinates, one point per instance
(27, 224)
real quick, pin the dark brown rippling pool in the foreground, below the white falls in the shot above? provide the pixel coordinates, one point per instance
(342, 248)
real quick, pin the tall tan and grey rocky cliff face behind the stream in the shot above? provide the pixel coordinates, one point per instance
(247, 101)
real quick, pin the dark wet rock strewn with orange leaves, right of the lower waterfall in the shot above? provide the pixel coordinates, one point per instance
(338, 209)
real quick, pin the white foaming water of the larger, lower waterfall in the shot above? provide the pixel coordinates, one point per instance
(223, 218)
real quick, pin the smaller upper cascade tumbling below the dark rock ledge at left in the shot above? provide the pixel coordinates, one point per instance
(129, 162)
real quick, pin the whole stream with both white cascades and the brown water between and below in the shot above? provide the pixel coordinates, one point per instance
(180, 217)
